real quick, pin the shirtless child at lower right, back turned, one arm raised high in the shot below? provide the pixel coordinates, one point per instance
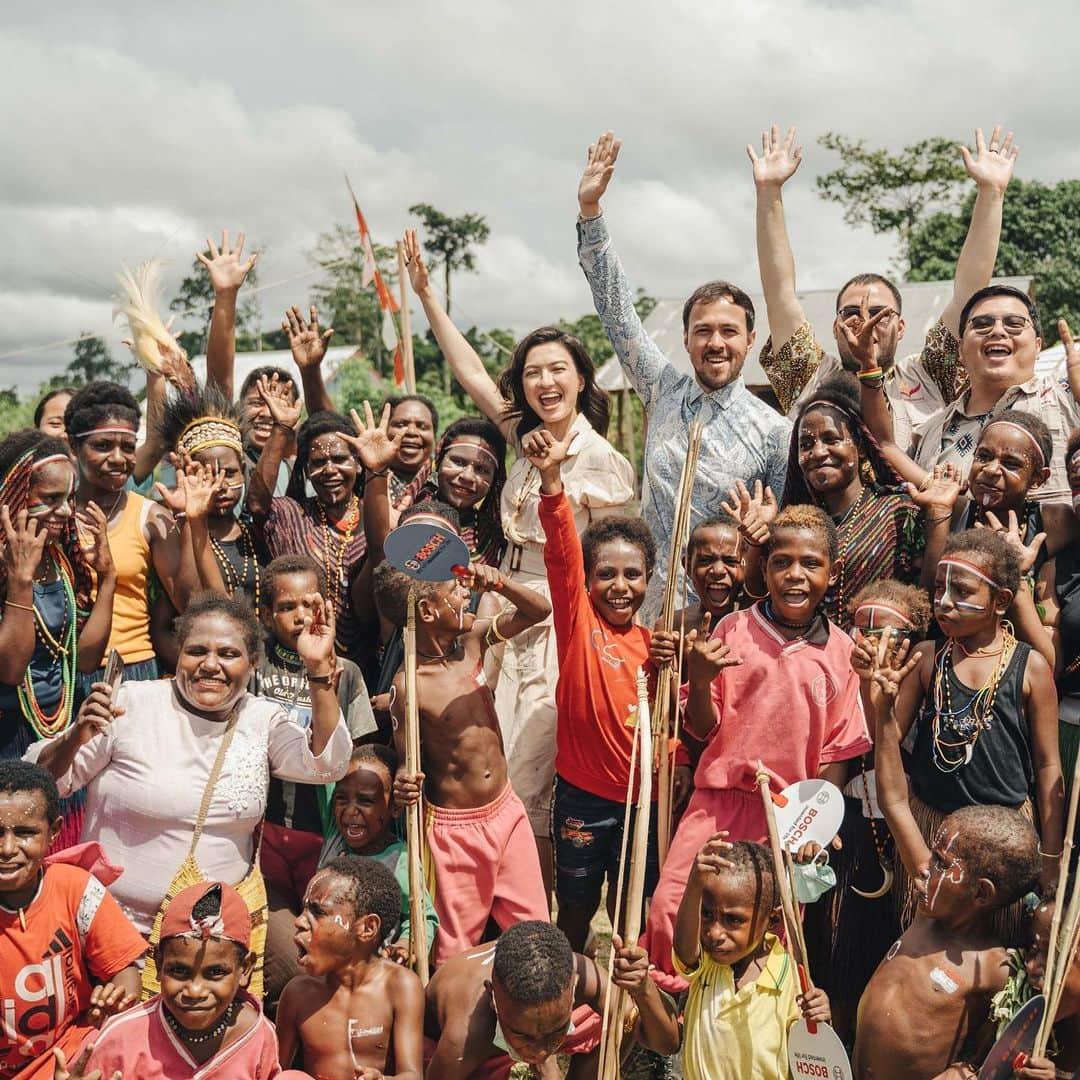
(926, 1011)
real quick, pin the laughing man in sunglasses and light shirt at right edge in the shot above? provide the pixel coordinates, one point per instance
(1001, 341)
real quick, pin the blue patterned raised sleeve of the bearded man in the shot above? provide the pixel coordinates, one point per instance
(645, 366)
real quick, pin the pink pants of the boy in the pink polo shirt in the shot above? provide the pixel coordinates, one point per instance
(709, 812)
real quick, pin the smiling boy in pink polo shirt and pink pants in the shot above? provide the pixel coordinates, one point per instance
(774, 684)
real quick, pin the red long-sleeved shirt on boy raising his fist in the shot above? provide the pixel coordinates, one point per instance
(597, 695)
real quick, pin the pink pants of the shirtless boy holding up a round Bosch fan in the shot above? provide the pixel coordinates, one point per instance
(482, 863)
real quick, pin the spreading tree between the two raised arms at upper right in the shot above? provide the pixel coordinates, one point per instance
(892, 193)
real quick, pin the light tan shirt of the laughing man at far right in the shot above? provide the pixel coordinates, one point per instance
(951, 435)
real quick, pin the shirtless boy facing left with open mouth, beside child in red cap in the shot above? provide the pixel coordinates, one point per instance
(350, 908)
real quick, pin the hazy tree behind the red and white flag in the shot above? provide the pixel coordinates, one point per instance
(352, 308)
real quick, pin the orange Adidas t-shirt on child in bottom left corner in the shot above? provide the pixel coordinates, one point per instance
(75, 930)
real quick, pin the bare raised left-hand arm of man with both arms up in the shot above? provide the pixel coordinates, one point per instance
(776, 263)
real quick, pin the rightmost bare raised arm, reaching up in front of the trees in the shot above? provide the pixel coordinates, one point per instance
(991, 167)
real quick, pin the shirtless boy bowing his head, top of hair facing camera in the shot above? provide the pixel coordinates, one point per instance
(530, 998)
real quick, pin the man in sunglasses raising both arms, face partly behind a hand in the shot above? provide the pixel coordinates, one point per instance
(915, 386)
